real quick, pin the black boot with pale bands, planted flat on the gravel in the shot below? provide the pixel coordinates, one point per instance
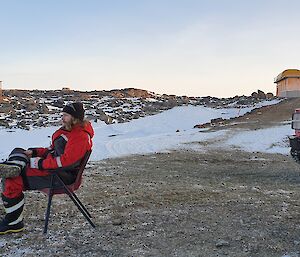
(13, 221)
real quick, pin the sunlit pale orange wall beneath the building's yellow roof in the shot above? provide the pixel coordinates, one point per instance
(289, 87)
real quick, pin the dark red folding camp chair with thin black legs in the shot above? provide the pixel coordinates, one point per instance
(69, 190)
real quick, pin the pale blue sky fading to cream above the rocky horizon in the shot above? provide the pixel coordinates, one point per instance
(196, 48)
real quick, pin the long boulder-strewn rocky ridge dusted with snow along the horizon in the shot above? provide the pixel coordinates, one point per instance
(40, 108)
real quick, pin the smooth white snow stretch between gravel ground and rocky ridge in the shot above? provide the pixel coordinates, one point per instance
(171, 129)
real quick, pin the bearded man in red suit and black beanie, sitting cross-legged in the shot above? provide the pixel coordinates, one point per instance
(31, 169)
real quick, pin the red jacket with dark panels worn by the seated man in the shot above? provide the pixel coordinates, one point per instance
(67, 148)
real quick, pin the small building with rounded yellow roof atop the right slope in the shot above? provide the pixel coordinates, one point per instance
(288, 83)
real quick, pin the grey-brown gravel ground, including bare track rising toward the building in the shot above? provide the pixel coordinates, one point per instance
(214, 202)
